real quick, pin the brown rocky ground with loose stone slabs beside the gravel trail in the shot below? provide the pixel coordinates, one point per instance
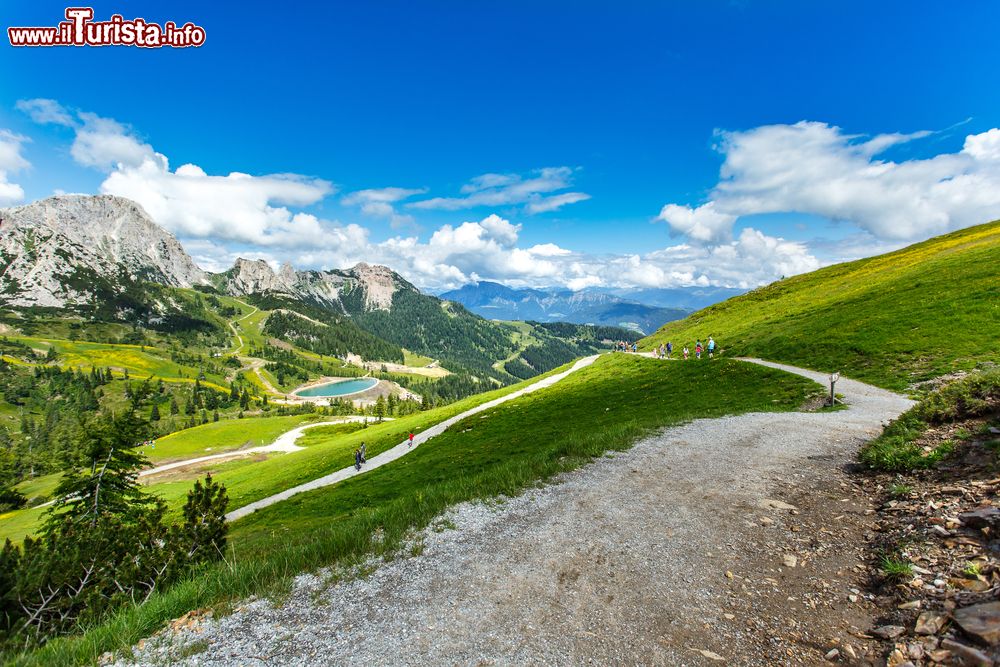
(935, 557)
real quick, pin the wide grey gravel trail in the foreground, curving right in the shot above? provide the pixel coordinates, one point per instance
(729, 541)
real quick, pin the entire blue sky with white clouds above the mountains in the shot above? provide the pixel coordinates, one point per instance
(842, 129)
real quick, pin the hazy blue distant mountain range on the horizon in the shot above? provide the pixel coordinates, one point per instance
(642, 310)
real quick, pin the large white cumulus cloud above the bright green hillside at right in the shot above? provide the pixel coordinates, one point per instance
(816, 168)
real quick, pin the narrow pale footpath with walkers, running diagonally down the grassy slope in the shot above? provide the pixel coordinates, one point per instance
(404, 447)
